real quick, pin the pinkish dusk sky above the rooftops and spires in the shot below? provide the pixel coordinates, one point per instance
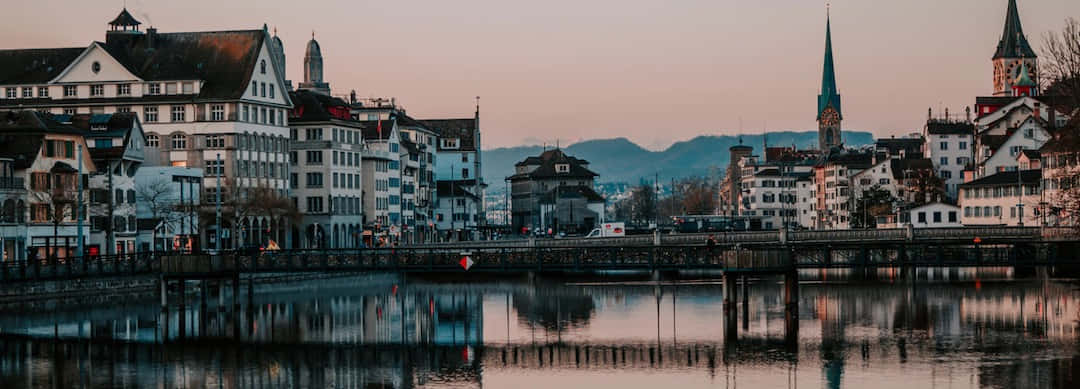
(653, 72)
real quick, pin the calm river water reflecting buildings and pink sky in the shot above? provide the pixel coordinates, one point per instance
(943, 329)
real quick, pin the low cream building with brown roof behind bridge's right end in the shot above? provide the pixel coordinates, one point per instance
(1003, 199)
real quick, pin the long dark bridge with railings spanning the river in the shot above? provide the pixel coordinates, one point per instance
(759, 252)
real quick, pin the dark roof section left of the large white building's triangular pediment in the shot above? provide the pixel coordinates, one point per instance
(35, 66)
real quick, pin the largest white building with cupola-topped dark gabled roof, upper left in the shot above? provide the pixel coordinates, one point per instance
(200, 95)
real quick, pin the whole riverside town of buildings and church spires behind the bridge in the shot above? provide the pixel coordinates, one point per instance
(153, 141)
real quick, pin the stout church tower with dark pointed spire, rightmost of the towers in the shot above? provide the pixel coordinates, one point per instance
(1012, 57)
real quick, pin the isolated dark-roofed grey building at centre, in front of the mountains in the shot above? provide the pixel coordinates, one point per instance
(555, 191)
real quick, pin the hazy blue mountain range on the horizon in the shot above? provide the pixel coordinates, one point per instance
(620, 160)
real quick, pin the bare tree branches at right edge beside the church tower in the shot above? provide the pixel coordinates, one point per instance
(1061, 64)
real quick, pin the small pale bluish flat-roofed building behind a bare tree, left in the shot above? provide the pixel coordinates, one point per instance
(165, 195)
